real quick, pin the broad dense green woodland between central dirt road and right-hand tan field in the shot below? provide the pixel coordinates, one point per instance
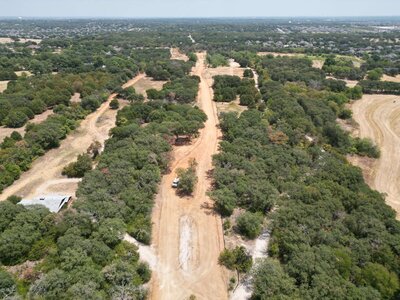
(332, 236)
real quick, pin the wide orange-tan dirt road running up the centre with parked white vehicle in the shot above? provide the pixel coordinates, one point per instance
(187, 235)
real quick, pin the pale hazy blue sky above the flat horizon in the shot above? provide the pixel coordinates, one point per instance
(197, 8)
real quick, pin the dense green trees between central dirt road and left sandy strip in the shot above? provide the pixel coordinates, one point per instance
(83, 252)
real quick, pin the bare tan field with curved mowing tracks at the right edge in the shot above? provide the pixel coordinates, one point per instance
(378, 117)
